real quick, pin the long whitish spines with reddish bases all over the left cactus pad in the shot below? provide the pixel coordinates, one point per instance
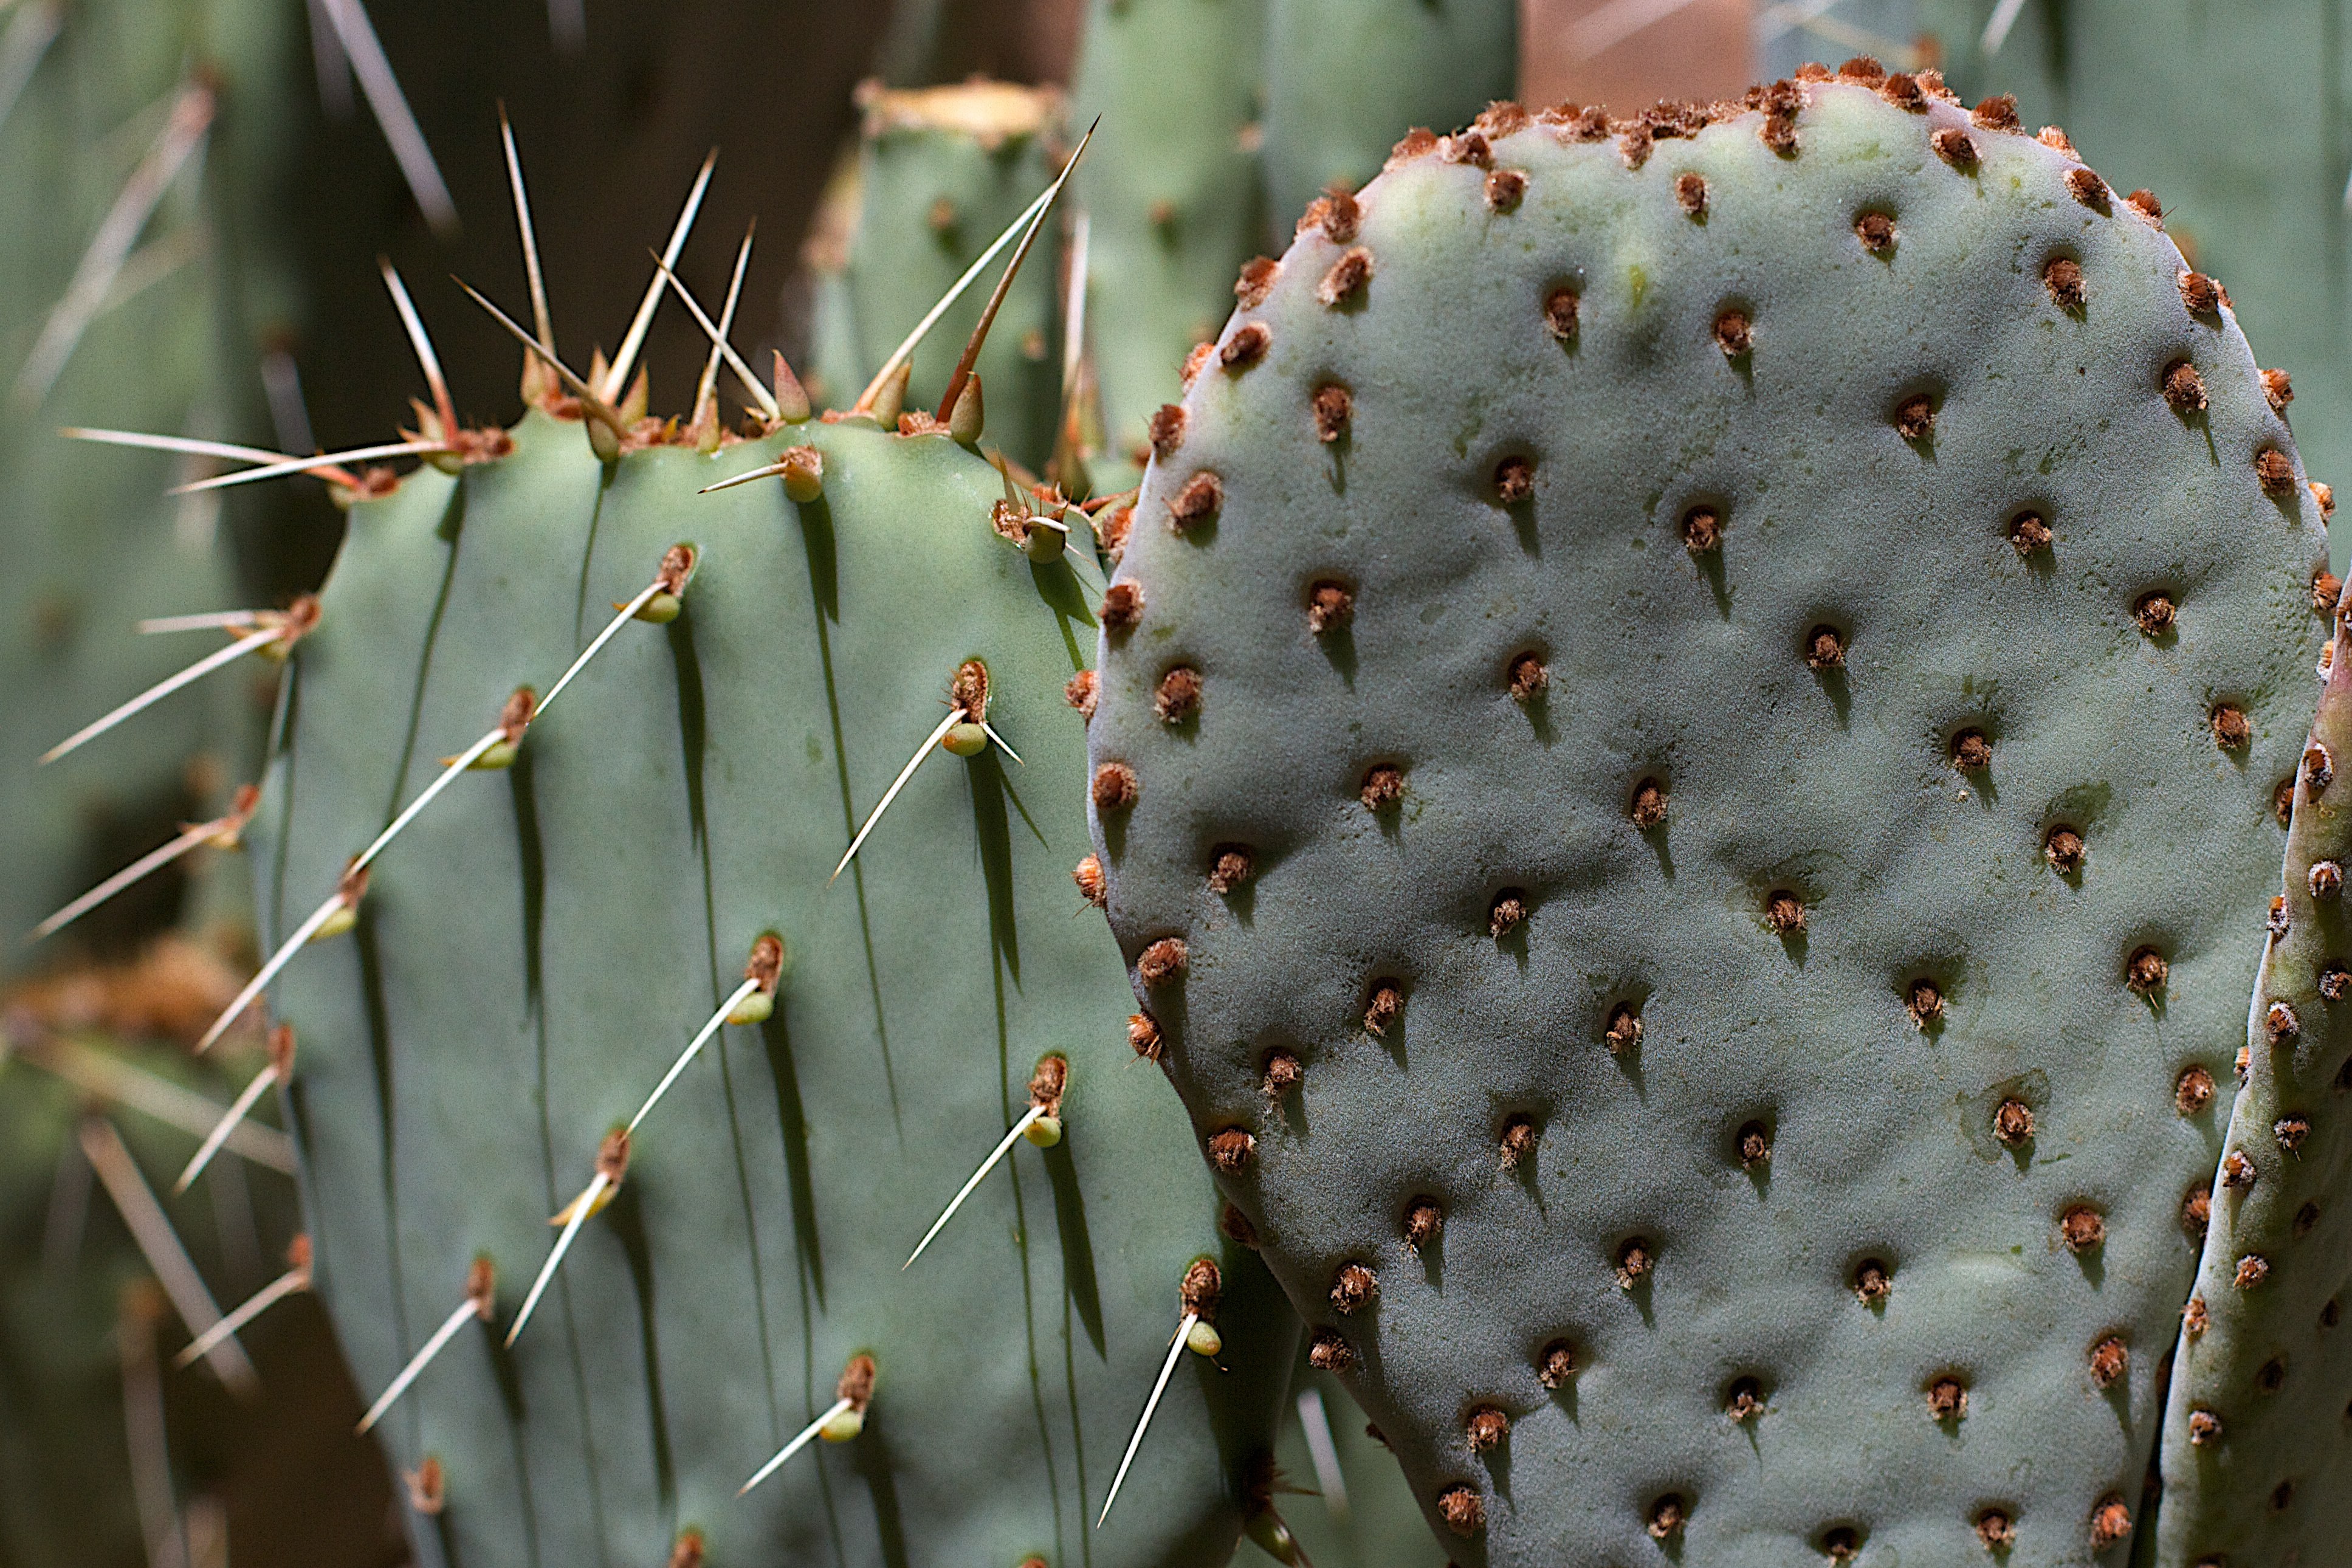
(615, 415)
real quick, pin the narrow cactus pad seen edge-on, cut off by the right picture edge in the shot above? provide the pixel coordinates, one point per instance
(2257, 1449)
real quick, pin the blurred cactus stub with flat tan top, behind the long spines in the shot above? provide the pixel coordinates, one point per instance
(942, 170)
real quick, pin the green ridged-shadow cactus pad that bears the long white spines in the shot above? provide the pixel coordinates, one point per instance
(540, 946)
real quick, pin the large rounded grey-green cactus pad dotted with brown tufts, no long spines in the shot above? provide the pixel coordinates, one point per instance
(1709, 859)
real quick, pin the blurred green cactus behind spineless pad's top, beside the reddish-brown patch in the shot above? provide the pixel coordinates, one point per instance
(1344, 79)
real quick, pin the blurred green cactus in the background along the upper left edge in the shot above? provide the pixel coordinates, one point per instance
(133, 152)
